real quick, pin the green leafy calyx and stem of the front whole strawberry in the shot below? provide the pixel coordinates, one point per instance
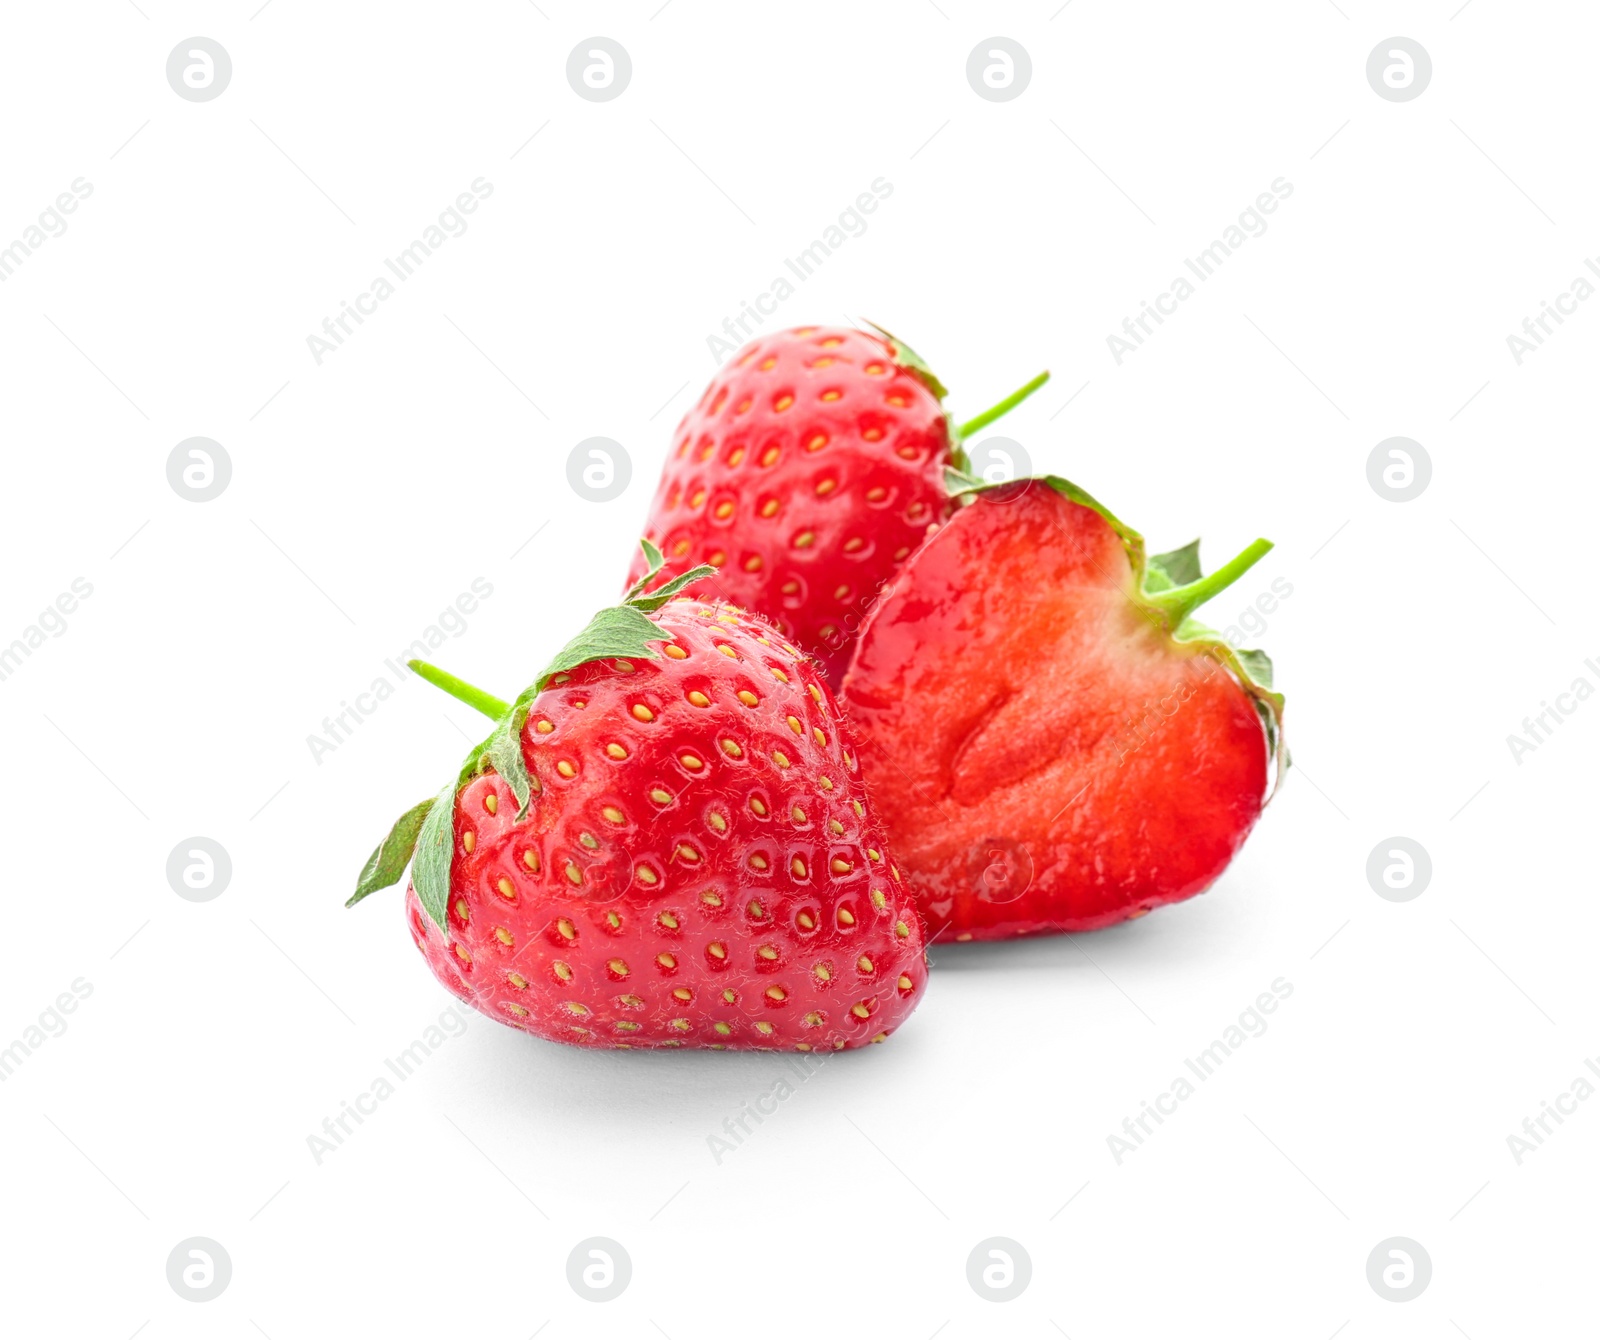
(425, 836)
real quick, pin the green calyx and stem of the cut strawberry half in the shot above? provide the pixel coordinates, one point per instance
(1169, 589)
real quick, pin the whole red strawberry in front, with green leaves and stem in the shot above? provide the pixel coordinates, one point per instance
(665, 843)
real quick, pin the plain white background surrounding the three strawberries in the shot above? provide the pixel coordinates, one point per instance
(370, 492)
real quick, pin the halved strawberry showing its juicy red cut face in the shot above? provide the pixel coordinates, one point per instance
(1054, 743)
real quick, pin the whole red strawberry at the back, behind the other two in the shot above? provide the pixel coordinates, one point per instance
(807, 473)
